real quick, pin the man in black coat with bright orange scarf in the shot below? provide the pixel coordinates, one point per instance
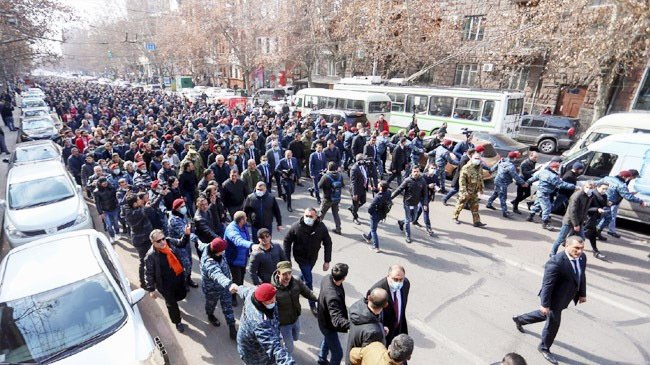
(164, 272)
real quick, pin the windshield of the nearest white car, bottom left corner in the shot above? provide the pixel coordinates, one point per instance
(50, 325)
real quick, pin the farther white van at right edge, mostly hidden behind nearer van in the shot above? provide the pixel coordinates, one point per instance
(617, 123)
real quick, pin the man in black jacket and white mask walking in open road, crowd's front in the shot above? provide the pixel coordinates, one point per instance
(306, 238)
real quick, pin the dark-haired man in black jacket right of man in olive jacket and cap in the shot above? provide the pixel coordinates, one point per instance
(332, 314)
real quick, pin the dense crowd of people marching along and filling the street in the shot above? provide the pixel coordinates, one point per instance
(171, 175)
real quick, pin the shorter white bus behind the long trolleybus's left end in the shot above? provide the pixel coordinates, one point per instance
(372, 104)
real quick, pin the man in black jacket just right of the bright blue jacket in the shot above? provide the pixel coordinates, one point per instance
(261, 207)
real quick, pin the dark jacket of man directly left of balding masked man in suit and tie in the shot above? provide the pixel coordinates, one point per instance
(365, 327)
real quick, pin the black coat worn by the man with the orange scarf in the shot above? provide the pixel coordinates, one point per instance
(157, 275)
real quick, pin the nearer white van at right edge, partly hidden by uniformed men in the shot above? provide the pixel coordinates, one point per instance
(609, 156)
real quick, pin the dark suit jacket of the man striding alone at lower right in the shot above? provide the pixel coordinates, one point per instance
(560, 285)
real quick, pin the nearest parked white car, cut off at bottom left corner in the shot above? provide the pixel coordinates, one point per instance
(65, 299)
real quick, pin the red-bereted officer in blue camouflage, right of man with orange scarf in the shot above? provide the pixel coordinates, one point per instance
(217, 283)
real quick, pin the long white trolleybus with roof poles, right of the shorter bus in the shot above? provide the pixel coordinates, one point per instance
(475, 109)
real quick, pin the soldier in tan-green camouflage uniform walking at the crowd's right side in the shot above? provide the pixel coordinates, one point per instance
(471, 185)
